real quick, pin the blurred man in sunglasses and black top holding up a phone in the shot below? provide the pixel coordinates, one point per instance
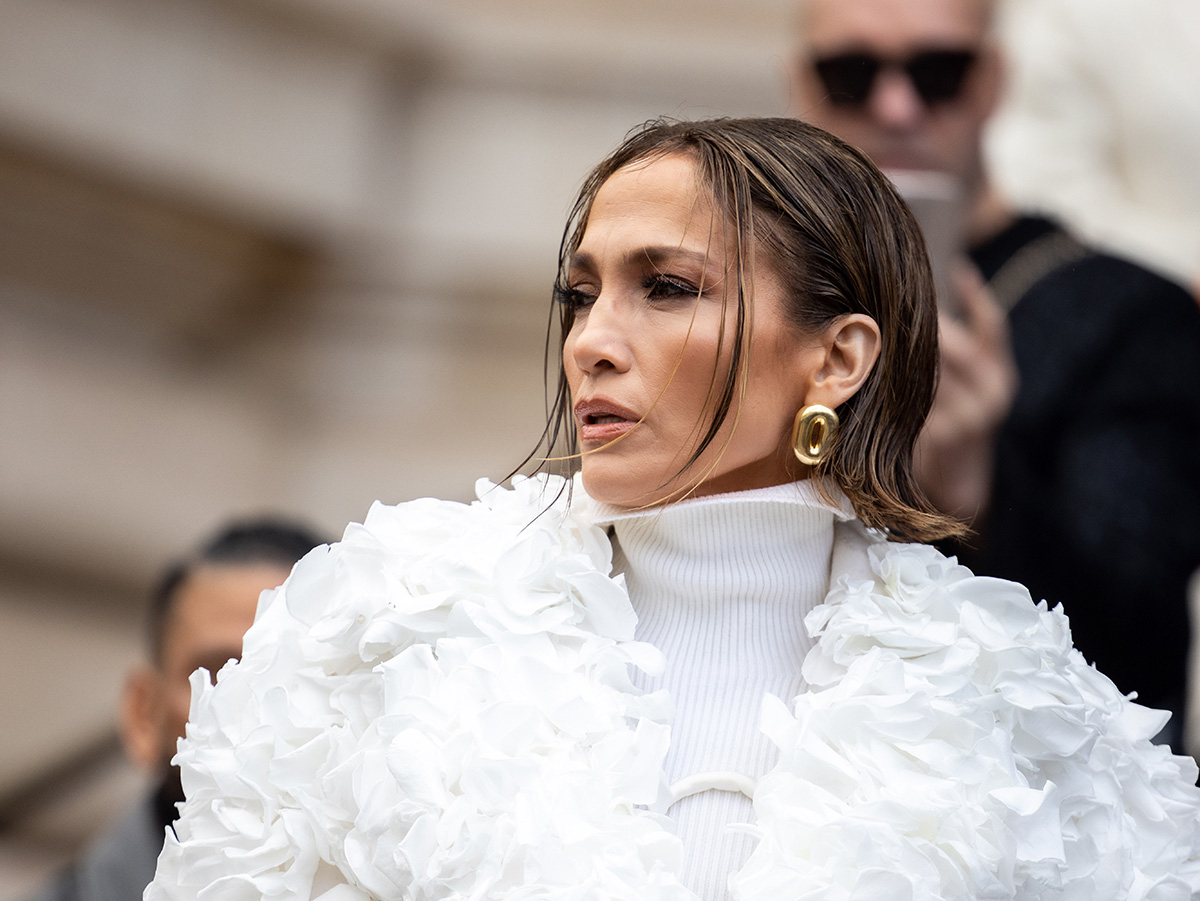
(1079, 477)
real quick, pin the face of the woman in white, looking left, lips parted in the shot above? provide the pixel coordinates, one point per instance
(652, 284)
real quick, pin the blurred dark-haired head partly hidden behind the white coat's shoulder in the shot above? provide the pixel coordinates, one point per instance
(199, 614)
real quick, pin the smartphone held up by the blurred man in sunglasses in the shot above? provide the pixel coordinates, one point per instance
(938, 202)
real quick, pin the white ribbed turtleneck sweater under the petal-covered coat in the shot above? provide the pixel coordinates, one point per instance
(722, 586)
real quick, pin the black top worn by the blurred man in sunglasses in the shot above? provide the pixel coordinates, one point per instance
(1096, 503)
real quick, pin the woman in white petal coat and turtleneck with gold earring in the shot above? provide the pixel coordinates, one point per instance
(472, 702)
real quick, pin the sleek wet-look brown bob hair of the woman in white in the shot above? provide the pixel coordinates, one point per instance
(838, 235)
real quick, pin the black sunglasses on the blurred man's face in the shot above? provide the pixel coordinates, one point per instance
(937, 76)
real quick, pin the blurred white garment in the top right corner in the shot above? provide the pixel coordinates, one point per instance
(1102, 124)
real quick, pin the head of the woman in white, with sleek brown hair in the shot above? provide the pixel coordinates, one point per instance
(718, 278)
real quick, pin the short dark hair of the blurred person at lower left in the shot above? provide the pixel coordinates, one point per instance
(250, 542)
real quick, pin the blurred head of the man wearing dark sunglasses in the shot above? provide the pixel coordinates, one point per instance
(910, 82)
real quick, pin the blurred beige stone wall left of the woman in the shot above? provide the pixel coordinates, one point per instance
(278, 255)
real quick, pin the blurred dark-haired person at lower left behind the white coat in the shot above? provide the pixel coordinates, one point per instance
(199, 615)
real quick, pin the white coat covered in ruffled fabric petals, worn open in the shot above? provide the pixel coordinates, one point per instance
(440, 707)
